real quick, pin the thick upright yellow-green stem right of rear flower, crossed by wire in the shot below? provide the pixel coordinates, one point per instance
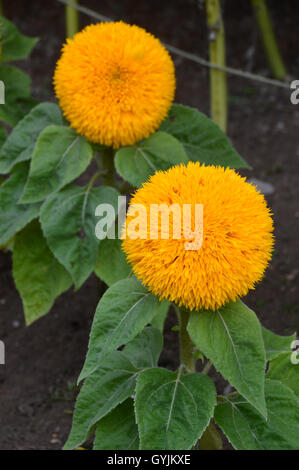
(218, 85)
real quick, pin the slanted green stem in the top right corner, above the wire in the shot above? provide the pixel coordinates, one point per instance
(270, 45)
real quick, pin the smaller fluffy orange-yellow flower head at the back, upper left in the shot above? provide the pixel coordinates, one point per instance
(115, 83)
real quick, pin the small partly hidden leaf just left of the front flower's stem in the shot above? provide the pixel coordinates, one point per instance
(145, 349)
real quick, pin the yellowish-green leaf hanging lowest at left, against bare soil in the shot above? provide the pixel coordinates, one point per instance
(38, 275)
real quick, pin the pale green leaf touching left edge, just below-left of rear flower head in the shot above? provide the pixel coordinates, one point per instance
(20, 144)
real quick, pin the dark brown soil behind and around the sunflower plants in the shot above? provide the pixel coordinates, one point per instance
(37, 384)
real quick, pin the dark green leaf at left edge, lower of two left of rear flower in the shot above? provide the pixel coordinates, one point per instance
(18, 101)
